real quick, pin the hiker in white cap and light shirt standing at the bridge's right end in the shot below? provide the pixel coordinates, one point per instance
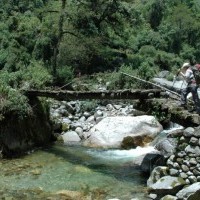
(188, 75)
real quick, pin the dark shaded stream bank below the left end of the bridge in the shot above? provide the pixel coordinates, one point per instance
(18, 135)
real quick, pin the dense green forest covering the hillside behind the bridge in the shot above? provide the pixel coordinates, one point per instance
(48, 43)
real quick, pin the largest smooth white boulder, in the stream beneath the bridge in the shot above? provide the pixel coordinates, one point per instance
(110, 132)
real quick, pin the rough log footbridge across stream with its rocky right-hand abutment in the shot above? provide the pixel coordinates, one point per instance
(146, 100)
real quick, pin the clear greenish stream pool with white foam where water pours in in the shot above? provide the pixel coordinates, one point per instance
(72, 172)
